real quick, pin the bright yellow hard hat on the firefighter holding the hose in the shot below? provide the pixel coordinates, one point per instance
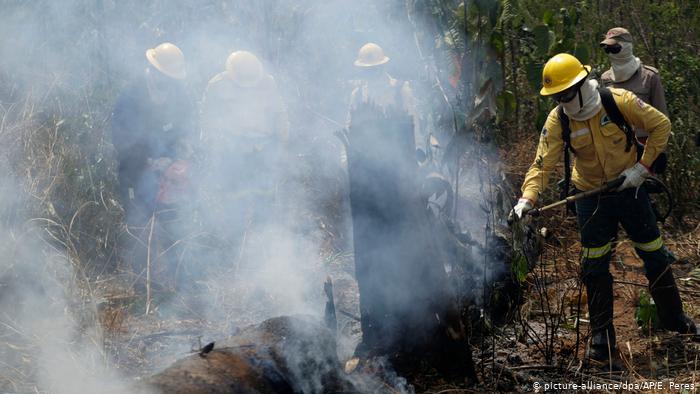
(562, 72)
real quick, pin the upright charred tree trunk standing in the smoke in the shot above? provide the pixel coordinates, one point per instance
(406, 306)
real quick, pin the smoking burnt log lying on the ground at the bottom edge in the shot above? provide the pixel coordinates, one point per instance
(280, 355)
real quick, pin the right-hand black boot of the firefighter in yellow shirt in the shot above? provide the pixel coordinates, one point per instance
(668, 303)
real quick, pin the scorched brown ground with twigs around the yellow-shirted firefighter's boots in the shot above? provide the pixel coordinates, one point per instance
(516, 357)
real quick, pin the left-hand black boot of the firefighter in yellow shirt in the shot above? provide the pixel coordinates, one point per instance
(600, 310)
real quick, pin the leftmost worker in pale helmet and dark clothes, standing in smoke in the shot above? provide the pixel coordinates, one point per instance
(153, 129)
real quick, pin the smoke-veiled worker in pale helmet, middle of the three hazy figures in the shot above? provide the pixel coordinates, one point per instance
(245, 130)
